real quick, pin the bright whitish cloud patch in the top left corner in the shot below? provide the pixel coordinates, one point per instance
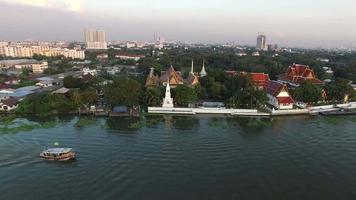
(69, 5)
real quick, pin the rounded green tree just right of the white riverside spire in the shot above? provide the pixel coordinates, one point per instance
(185, 95)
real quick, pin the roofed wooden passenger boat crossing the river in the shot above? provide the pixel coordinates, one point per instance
(58, 154)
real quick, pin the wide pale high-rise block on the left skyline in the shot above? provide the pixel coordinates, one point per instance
(95, 39)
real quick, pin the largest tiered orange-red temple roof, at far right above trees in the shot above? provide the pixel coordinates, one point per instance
(298, 74)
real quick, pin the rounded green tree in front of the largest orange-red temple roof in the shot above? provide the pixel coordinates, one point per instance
(308, 93)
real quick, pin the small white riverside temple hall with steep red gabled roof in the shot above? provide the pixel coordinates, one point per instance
(279, 96)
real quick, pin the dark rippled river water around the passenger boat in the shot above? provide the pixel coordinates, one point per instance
(180, 158)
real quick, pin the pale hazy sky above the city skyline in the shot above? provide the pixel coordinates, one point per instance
(302, 23)
